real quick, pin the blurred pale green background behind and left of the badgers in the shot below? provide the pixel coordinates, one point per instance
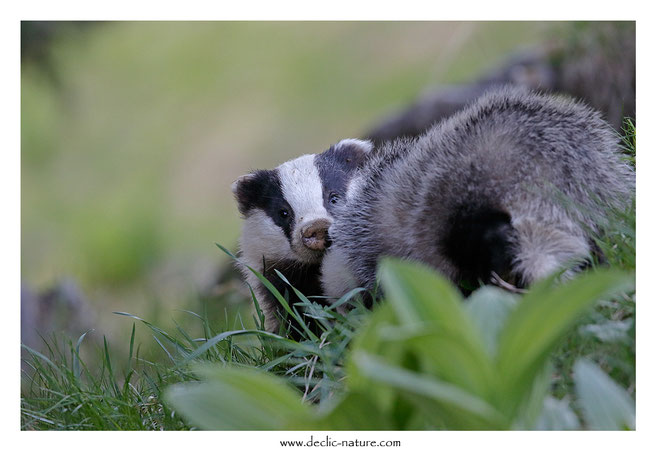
(133, 131)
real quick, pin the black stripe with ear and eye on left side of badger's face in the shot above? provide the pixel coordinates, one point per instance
(263, 190)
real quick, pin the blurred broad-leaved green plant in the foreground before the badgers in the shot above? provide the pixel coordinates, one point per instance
(425, 360)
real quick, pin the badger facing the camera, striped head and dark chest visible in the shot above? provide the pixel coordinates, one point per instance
(287, 212)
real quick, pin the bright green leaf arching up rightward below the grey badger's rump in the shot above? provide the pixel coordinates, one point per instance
(543, 316)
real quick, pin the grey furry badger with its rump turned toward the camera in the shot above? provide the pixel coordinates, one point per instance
(515, 185)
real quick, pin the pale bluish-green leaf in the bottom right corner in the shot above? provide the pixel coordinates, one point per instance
(605, 404)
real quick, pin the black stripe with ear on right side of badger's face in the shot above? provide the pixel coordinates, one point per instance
(336, 167)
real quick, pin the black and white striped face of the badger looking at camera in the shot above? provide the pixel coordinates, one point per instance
(287, 210)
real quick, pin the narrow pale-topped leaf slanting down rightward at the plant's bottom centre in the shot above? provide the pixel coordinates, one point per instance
(435, 396)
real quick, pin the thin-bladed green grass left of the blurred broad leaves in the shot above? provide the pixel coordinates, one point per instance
(61, 392)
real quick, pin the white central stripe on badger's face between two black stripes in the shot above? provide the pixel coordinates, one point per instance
(302, 188)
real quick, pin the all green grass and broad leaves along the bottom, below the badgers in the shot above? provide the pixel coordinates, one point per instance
(425, 359)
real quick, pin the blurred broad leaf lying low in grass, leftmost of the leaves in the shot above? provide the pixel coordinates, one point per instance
(239, 399)
